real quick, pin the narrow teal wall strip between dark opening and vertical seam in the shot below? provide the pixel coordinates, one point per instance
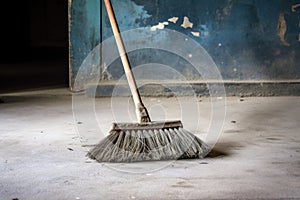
(84, 33)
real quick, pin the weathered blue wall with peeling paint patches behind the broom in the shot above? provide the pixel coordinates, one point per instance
(247, 39)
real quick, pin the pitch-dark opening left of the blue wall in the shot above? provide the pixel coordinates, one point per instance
(34, 43)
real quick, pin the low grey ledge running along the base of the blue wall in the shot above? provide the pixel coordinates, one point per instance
(200, 88)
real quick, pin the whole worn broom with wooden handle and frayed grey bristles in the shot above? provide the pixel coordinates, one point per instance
(145, 140)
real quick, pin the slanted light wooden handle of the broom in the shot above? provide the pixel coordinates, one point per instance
(141, 111)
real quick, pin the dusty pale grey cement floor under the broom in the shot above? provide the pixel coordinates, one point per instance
(43, 150)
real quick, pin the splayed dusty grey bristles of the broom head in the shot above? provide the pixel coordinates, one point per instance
(148, 145)
